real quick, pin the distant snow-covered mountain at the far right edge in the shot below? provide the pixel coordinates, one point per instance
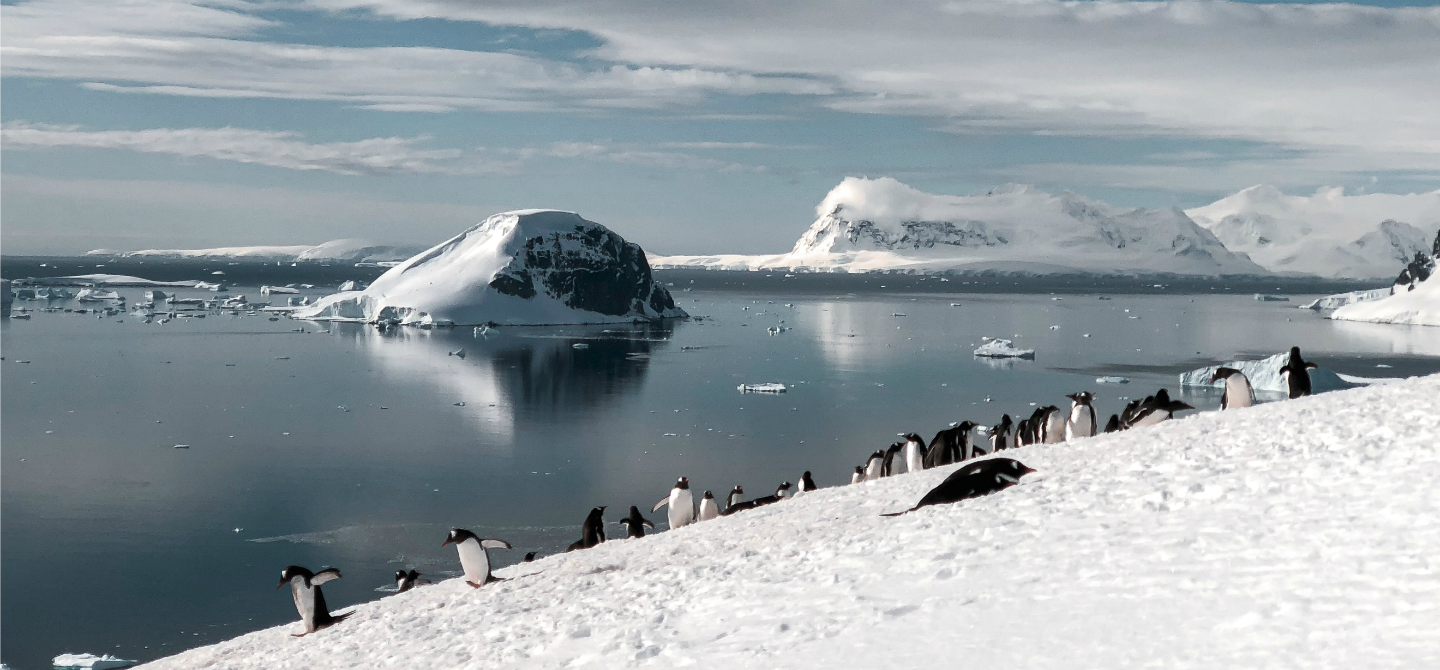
(1327, 234)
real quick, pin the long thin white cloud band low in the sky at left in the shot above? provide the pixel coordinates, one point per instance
(289, 151)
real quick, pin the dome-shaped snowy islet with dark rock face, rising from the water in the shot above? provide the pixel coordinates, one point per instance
(525, 267)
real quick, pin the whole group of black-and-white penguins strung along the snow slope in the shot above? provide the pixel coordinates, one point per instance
(1045, 426)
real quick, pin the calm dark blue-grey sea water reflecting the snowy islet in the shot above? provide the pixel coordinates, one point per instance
(341, 446)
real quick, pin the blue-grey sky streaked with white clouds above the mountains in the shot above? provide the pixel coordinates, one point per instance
(690, 128)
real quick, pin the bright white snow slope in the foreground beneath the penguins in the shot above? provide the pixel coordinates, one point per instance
(1298, 534)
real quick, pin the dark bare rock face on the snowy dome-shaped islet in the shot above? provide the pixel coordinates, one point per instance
(590, 269)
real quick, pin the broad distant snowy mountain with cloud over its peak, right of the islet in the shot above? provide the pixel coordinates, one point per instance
(882, 224)
